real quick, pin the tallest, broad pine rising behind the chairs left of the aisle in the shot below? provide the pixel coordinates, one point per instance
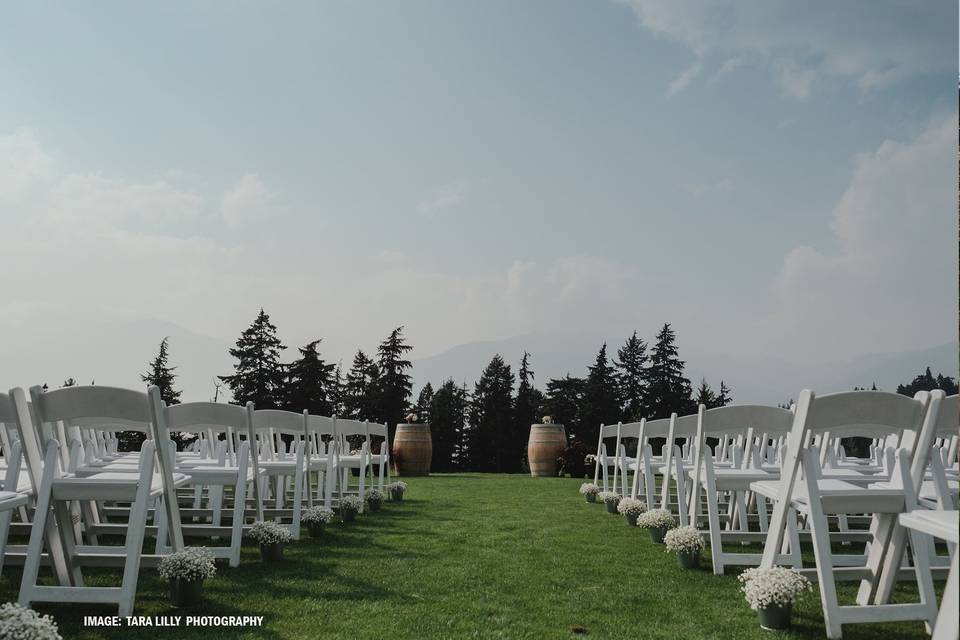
(258, 375)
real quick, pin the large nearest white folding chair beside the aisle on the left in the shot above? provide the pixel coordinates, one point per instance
(54, 491)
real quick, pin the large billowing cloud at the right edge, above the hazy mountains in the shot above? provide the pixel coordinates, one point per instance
(892, 278)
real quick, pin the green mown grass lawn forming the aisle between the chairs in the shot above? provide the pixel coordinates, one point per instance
(469, 556)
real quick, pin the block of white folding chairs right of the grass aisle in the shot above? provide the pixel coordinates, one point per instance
(782, 477)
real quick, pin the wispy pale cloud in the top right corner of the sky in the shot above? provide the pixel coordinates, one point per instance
(874, 44)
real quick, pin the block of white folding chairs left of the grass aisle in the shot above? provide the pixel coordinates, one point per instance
(71, 488)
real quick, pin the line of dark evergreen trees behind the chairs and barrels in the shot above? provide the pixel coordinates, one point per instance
(483, 428)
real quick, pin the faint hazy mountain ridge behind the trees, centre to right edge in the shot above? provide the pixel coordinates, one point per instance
(760, 380)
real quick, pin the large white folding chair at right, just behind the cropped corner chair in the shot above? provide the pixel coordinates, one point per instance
(857, 413)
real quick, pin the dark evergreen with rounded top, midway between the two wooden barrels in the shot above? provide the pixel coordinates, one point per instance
(491, 418)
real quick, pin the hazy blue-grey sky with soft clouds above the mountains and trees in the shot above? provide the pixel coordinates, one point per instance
(772, 177)
